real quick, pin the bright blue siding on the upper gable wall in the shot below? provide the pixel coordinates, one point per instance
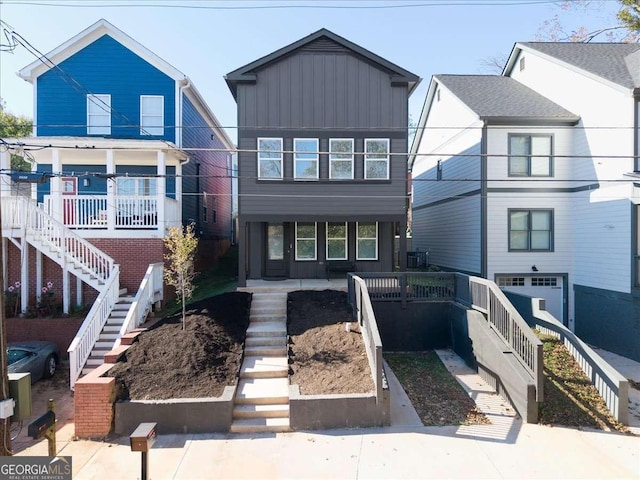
(103, 67)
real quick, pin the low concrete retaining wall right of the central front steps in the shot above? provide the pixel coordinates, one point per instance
(321, 412)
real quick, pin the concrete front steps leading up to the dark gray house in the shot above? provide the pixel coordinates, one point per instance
(261, 403)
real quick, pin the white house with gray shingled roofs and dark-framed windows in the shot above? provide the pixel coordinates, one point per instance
(530, 178)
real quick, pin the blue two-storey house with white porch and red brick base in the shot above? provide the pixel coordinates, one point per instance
(129, 148)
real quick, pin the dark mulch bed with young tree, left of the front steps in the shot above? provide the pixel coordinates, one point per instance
(199, 361)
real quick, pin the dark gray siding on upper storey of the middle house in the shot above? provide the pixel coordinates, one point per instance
(329, 95)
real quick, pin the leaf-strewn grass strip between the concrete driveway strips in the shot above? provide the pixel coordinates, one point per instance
(435, 394)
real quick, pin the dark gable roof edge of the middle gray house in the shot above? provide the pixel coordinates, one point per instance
(247, 73)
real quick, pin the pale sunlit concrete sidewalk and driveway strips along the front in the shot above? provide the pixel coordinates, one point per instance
(506, 449)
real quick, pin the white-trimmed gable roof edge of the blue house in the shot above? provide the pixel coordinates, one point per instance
(88, 36)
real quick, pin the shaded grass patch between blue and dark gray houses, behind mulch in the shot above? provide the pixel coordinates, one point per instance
(219, 279)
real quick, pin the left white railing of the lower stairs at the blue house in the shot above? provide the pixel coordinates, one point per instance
(89, 331)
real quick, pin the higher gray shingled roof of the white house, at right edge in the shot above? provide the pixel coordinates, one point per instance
(611, 61)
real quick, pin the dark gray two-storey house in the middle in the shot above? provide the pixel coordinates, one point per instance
(322, 164)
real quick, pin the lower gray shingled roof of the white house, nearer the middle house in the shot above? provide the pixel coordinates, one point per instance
(502, 99)
